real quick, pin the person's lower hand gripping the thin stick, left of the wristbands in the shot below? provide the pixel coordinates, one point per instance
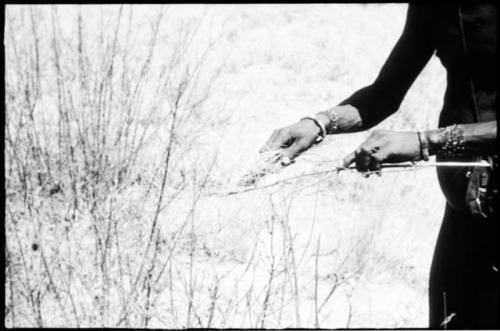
(384, 146)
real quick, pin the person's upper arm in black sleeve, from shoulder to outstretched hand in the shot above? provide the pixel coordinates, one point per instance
(371, 104)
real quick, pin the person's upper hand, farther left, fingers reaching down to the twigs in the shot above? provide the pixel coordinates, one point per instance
(295, 138)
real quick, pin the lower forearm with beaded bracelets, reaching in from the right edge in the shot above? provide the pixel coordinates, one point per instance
(477, 138)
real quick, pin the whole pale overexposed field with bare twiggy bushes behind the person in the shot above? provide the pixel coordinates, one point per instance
(121, 121)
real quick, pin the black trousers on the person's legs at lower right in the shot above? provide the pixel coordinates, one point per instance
(463, 281)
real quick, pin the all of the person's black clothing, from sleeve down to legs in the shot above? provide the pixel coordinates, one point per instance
(467, 49)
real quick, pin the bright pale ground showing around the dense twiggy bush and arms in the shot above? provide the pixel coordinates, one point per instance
(257, 251)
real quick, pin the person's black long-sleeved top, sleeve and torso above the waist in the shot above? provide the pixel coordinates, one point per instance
(436, 29)
